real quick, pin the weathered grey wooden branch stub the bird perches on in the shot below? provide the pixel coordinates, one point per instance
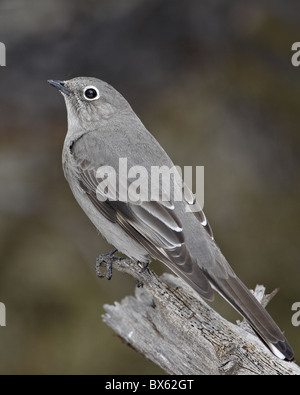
(171, 325)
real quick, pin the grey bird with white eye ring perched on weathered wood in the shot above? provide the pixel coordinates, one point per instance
(102, 128)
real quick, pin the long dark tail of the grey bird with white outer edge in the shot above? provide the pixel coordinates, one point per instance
(238, 295)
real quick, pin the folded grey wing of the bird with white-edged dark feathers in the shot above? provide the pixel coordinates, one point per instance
(153, 224)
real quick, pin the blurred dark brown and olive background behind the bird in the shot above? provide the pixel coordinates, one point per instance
(214, 83)
